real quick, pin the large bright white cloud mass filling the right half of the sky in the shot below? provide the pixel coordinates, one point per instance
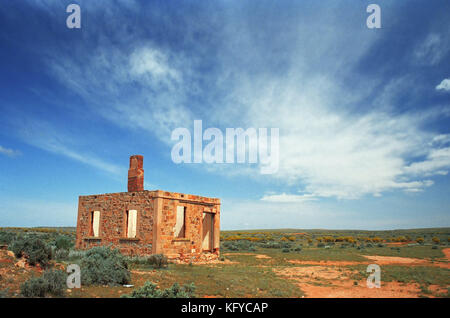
(330, 152)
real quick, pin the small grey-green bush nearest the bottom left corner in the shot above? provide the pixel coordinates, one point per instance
(52, 282)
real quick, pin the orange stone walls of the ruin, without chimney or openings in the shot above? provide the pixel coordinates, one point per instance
(156, 217)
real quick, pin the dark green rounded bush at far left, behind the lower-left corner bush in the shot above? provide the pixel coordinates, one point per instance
(33, 249)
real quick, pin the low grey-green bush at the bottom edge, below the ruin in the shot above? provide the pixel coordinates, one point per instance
(150, 290)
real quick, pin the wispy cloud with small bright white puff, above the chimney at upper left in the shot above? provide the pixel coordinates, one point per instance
(138, 89)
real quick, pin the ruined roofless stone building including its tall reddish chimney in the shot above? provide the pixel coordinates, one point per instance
(140, 222)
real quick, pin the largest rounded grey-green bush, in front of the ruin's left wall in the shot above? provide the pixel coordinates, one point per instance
(104, 266)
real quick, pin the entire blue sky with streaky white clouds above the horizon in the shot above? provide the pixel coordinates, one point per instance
(363, 114)
